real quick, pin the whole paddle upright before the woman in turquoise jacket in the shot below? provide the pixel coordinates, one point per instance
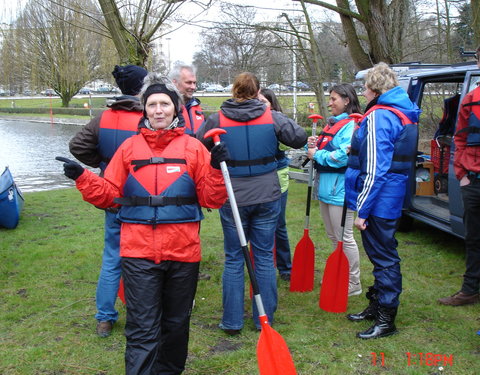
(303, 264)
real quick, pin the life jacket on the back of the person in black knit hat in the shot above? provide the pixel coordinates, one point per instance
(115, 127)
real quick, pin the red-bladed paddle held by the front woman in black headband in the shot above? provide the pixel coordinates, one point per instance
(273, 355)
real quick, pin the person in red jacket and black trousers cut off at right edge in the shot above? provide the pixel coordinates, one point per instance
(467, 170)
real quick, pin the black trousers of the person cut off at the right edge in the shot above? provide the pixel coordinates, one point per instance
(471, 220)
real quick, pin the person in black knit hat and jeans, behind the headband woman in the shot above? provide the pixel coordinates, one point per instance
(94, 146)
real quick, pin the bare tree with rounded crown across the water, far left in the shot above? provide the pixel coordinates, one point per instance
(49, 47)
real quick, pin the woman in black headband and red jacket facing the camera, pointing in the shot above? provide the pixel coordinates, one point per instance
(160, 178)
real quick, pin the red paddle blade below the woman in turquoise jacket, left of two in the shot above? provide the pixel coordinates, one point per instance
(303, 265)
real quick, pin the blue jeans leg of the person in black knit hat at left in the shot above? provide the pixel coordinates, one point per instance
(109, 279)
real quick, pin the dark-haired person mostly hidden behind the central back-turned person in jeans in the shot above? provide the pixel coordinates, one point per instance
(283, 255)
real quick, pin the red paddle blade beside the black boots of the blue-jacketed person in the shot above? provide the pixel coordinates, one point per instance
(334, 289)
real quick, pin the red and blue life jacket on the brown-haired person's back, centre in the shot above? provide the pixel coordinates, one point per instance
(252, 145)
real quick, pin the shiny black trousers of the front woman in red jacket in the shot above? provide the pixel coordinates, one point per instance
(159, 301)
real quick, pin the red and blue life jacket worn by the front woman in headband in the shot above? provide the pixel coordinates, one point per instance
(159, 190)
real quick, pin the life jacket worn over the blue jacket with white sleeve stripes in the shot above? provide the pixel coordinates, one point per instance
(405, 147)
